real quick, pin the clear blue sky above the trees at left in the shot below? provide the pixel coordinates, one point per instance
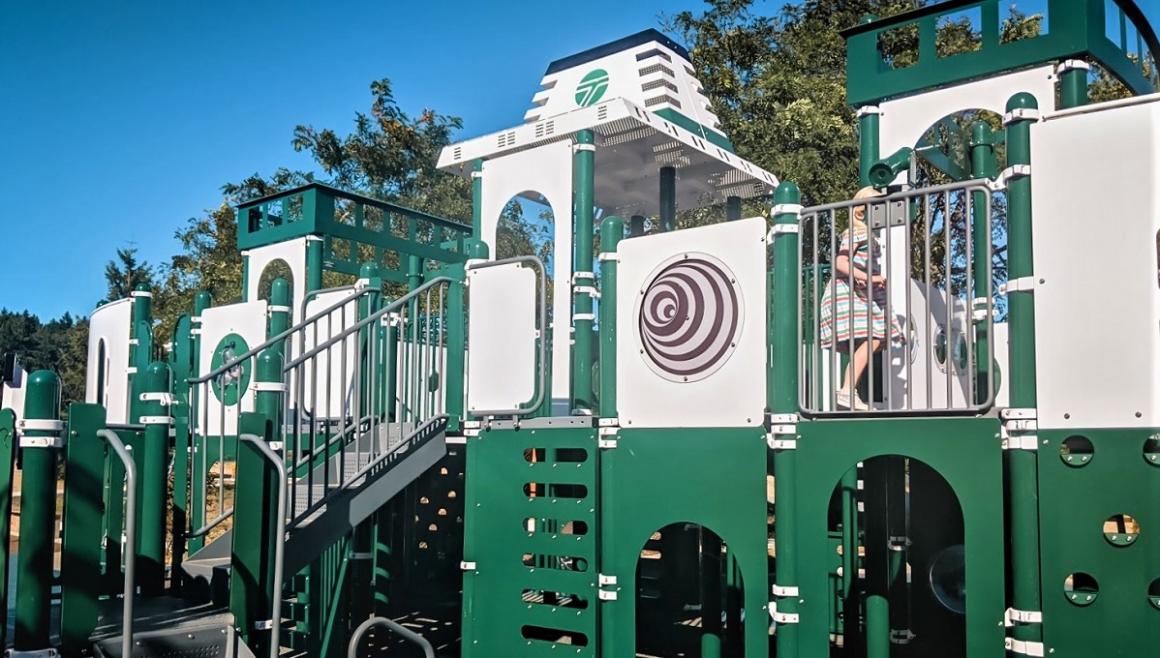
(121, 120)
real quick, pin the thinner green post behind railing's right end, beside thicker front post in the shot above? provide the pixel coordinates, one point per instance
(983, 167)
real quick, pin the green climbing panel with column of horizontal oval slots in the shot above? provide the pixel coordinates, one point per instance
(497, 609)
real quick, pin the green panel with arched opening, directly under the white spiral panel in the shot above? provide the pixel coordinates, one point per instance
(658, 478)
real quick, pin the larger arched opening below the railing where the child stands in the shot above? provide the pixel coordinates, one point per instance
(898, 563)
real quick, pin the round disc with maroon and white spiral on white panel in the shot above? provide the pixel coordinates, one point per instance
(690, 317)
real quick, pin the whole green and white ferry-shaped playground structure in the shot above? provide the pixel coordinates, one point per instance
(637, 450)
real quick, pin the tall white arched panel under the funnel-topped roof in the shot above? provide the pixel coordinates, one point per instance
(548, 171)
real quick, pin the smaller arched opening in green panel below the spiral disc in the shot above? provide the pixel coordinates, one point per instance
(690, 596)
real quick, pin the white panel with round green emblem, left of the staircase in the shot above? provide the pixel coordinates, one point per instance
(246, 321)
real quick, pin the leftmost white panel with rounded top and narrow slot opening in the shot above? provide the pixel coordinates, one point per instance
(110, 327)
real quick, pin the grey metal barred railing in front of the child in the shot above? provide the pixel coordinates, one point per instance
(910, 269)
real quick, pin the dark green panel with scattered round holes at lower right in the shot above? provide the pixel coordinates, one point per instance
(1075, 502)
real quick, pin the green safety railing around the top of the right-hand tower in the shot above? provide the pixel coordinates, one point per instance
(1113, 33)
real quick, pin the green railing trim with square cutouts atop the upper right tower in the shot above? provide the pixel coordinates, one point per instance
(1077, 31)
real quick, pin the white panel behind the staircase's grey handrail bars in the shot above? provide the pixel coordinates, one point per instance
(331, 393)
